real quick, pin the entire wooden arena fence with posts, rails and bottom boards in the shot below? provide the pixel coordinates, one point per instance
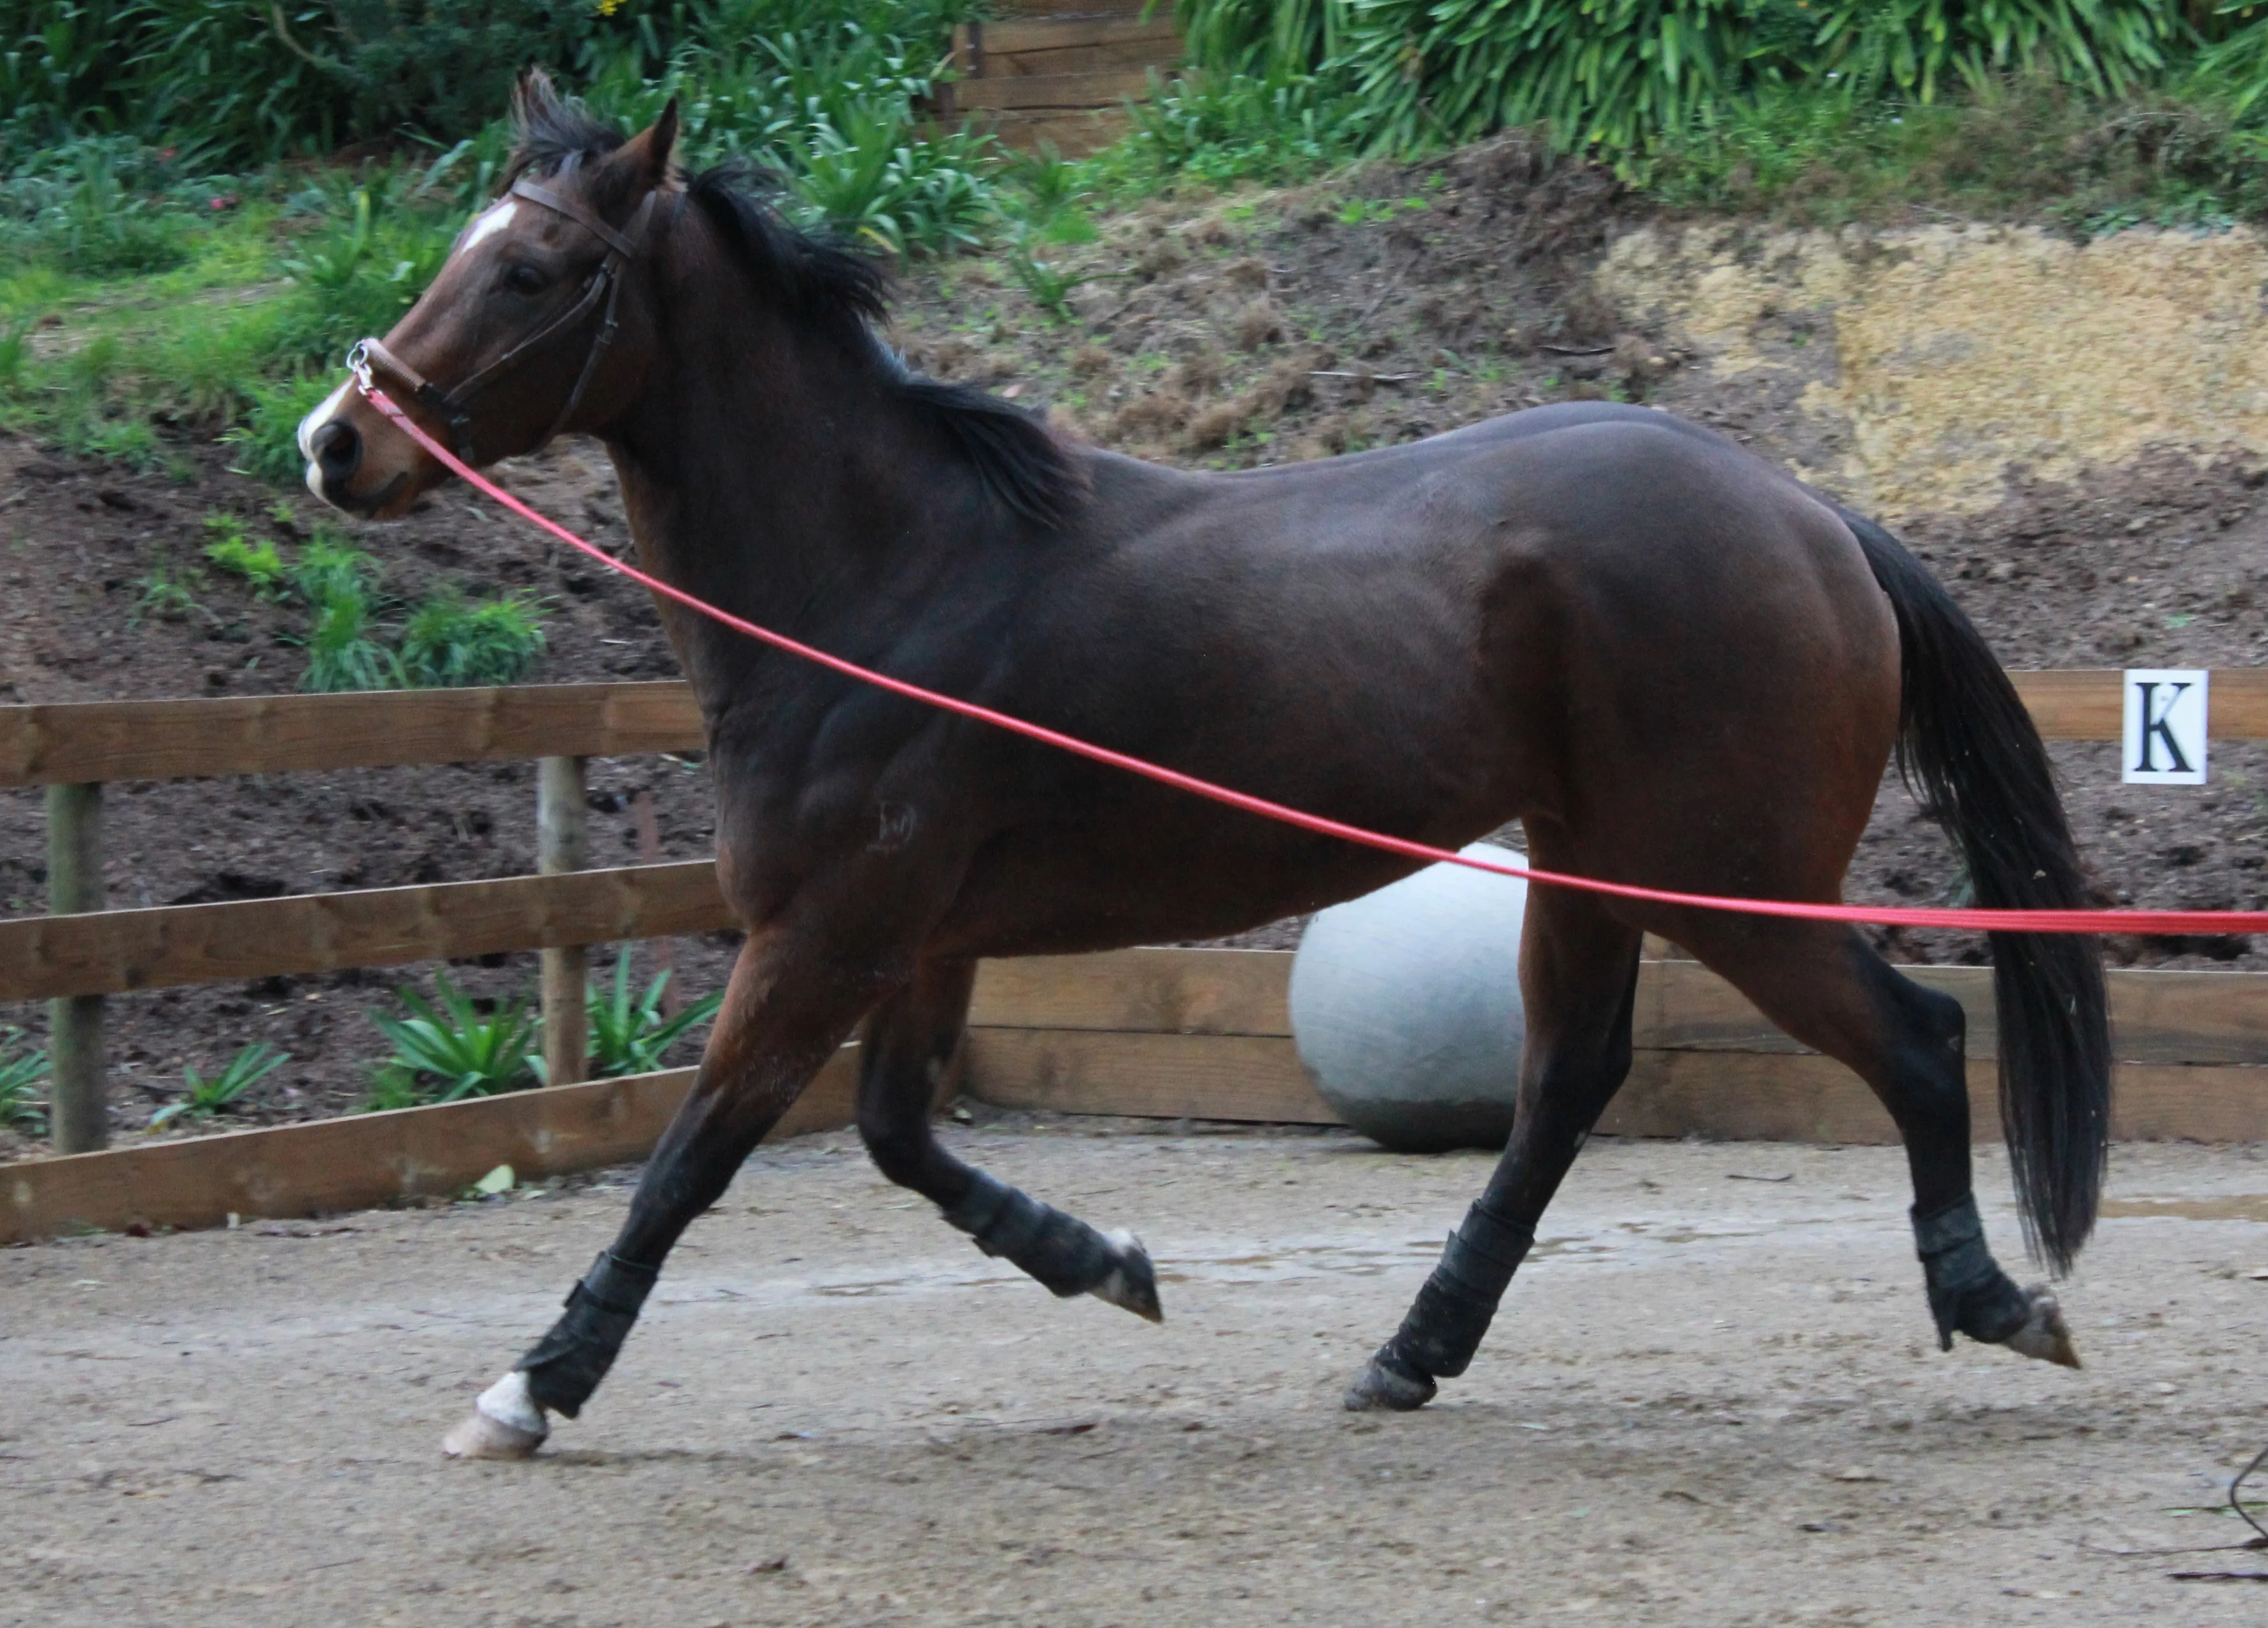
(1142, 1033)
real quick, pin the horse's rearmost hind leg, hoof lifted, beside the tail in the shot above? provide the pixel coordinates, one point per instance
(1827, 987)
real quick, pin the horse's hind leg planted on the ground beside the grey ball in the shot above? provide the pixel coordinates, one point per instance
(1577, 978)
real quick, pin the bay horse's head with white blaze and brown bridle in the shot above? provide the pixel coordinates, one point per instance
(534, 325)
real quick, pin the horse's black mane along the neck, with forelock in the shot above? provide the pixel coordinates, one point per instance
(838, 291)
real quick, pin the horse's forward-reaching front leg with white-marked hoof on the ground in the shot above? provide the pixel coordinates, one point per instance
(793, 999)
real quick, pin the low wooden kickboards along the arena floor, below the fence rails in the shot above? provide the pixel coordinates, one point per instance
(1165, 1035)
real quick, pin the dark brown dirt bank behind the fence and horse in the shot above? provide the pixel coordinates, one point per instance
(1219, 334)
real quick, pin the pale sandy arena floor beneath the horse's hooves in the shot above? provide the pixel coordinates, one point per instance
(1713, 1400)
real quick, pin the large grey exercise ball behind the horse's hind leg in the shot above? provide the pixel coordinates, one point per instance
(1405, 1006)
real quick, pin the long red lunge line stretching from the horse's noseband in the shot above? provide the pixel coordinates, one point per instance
(2165, 922)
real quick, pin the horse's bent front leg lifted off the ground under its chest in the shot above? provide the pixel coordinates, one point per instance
(906, 1053)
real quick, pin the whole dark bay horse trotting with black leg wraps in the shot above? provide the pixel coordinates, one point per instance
(1670, 661)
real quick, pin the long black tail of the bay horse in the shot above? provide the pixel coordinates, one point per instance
(1974, 761)
